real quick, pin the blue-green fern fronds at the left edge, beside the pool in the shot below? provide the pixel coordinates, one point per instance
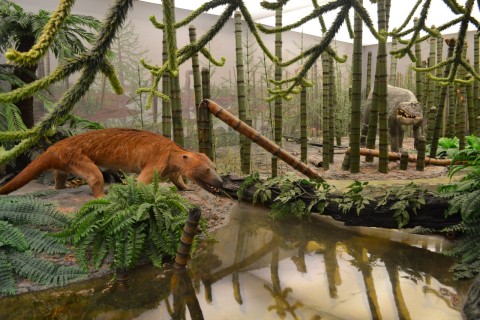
(21, 238)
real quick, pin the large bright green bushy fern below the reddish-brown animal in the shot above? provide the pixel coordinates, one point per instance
(131, 220)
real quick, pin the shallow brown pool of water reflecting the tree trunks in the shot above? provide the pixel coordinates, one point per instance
(263, 269)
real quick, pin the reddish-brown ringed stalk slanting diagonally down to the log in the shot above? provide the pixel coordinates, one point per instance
(259, 139)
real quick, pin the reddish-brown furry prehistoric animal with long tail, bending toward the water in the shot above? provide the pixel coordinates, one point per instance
(129, 150)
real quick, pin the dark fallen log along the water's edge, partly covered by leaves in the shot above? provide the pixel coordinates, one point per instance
(430, 215)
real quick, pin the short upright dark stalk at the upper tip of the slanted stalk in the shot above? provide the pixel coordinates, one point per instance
(205, 124)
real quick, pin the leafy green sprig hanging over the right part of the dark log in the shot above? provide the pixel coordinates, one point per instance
(406, 199)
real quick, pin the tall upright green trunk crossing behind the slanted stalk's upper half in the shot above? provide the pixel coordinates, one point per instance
(242, 109)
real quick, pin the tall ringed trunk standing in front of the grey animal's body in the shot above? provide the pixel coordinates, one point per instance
(381, 81)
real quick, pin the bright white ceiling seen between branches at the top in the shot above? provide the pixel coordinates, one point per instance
(294, 10)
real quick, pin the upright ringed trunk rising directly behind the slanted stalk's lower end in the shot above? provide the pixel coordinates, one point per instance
(326, 112)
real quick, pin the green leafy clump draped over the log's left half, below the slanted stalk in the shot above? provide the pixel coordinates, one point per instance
(289, 190)
